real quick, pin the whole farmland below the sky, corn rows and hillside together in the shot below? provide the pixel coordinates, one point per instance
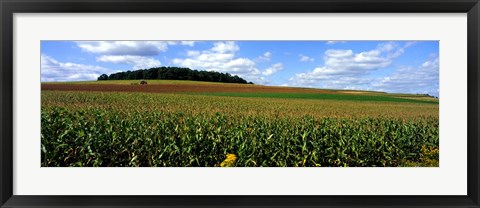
(198, 124)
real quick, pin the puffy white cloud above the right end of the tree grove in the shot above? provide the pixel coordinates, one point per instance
(221, 58)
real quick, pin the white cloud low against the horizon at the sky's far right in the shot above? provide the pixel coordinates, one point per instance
(423, 79)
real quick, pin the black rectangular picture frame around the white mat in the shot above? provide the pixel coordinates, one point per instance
(9, 7)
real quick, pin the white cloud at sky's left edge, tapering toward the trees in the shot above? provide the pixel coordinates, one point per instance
(53, 70)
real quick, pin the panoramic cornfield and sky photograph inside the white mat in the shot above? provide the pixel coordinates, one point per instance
(229, 103)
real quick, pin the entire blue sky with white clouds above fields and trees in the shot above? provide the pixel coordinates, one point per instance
(389, 66)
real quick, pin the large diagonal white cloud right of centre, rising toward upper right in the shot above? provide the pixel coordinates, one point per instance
(346, 69)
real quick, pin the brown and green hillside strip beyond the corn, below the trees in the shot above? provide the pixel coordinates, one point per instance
(234, 90)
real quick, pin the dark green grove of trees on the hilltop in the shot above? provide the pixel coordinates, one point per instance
(174, 73)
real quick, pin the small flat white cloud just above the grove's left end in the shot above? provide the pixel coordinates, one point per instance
(138, 62)
